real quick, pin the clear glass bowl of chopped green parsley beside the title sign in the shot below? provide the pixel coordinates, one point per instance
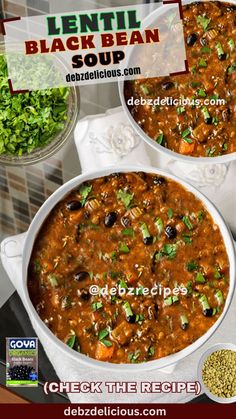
(34, 125)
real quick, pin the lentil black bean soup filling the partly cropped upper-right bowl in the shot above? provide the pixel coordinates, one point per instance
(197, 129)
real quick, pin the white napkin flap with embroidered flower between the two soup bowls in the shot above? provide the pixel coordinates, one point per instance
(108, 139)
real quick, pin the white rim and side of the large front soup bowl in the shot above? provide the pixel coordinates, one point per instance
(47, 336)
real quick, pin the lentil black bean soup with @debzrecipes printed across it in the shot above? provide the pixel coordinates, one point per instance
(129, 230)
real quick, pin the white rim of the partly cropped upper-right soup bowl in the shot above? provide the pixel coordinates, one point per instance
(169, 153)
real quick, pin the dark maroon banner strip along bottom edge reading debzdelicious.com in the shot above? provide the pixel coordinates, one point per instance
(22, 411)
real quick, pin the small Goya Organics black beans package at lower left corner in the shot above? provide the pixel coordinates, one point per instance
(21, 362)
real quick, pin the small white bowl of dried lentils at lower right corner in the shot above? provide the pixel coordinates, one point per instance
(217, 372)
